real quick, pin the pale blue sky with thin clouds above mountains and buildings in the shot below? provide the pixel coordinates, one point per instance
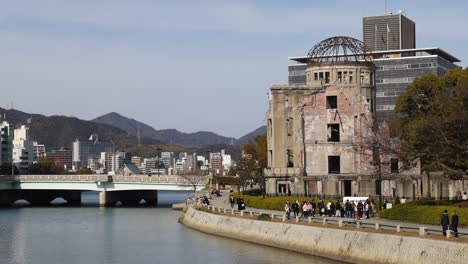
(203, 65)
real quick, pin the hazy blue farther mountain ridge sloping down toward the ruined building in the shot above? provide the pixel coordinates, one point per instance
(173, 136)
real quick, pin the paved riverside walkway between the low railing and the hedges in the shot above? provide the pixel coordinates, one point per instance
(223, 202)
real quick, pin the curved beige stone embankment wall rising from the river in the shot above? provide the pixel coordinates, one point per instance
(344, 245)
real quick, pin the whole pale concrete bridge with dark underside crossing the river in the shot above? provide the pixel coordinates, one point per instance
(129, 190)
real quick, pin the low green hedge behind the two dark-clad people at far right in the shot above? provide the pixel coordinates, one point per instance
(424, 214)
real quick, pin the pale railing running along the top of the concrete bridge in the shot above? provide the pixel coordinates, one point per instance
(199, 180)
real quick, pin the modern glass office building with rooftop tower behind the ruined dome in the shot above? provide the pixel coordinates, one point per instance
(392, 40)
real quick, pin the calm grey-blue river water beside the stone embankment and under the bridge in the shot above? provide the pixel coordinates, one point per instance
(90, 234)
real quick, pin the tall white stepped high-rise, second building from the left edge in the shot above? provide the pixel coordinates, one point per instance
(23, 149)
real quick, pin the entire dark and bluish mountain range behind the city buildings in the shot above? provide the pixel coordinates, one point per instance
(56, 131)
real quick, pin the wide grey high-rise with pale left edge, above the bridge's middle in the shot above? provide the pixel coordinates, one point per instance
(84, 150)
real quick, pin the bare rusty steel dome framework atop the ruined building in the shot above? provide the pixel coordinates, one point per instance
(339, 49)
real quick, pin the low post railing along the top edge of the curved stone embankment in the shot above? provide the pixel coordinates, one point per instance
(338, 221)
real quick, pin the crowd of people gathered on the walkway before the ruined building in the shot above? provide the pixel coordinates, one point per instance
(361, 209)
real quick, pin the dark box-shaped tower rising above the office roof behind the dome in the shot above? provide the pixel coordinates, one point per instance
(389, 32)
